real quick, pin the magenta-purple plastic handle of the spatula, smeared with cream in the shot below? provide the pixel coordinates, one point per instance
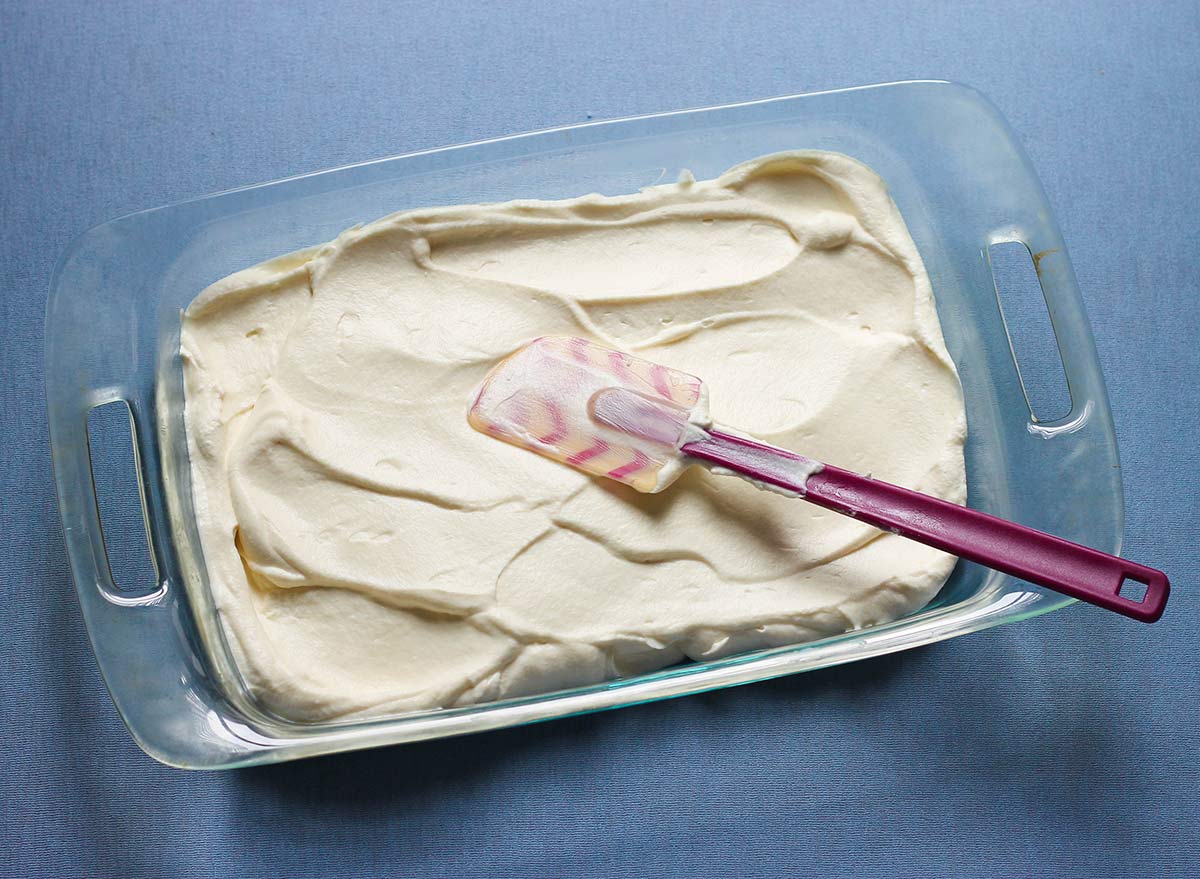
(1063, 566)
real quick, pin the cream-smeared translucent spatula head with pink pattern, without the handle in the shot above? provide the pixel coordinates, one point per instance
(596, 409)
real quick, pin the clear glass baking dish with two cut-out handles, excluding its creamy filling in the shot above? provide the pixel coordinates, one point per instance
(955, 169)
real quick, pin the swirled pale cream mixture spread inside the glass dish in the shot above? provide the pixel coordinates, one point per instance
(370, 553)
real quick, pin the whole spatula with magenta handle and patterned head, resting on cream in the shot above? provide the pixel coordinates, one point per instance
(617, 416)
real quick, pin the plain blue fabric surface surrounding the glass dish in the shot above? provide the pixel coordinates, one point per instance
(1065, 746)
